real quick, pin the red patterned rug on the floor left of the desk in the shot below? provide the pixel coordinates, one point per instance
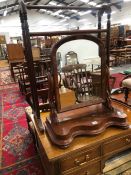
(18, 154)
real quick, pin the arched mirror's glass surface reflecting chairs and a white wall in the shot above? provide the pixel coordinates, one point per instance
(80, 71)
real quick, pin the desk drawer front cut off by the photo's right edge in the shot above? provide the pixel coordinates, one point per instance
(117, 144)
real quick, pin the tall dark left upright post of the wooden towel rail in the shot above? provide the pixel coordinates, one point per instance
(30, 65)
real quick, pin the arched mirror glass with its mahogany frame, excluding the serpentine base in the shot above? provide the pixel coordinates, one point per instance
(81, 79)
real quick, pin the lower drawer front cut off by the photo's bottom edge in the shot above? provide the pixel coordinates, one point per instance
(91, 169)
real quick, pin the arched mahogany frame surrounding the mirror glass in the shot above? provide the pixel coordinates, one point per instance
(104, 72)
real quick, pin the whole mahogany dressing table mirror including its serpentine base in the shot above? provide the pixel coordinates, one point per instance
(89, 111)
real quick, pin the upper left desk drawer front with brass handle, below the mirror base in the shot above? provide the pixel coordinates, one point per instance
(80, 158)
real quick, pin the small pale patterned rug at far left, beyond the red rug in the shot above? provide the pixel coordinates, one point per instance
(5, 76)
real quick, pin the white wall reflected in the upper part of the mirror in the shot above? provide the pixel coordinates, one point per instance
(87, 51)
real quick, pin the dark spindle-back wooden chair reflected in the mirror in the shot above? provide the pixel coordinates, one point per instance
(84, 83)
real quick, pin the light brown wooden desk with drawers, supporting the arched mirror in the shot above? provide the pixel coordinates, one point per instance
(85, 156)
